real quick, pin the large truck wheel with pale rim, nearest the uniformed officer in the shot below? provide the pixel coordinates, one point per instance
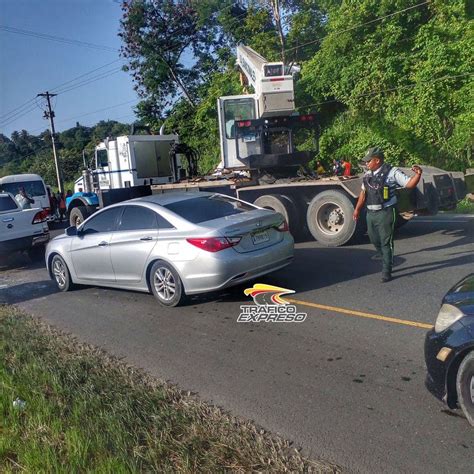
(329, 219)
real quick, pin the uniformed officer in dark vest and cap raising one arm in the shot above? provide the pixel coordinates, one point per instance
(378, 193)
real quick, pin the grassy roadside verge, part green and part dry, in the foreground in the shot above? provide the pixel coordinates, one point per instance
(86, 411)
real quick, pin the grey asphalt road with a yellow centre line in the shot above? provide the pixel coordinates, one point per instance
(346, 384)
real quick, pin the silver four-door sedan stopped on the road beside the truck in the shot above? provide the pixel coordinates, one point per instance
(172, 245)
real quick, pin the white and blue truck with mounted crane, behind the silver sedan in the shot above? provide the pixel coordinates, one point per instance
(261, 162)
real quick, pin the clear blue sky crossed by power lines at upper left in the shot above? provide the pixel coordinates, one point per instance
(30, 65)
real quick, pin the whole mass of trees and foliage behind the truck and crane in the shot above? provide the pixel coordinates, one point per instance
(390, 73)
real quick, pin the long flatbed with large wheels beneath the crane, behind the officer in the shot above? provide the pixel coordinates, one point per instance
(324, 207)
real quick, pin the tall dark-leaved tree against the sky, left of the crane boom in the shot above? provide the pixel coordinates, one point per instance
(157, 34)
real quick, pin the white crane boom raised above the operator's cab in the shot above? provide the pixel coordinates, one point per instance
(274, 90)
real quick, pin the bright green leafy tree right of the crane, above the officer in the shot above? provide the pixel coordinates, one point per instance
(402, 79)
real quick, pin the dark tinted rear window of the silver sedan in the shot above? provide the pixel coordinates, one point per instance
(207, 208)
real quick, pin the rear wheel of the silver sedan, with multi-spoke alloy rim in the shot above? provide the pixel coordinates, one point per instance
(166, 284)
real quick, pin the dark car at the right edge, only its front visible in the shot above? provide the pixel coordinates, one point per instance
(449, 349)
